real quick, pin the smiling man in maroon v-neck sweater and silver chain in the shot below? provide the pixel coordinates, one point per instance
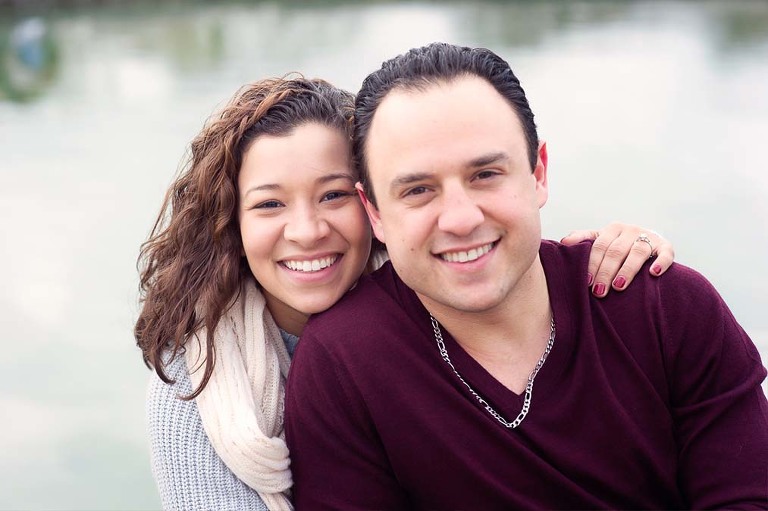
(416, 390)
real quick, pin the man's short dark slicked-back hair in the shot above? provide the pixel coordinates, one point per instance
(436, 63)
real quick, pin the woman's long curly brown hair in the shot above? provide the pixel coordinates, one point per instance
(191, 267)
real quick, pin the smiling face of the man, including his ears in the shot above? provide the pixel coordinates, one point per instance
(458, 205)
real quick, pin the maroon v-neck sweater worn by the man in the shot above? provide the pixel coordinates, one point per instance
(650, 398)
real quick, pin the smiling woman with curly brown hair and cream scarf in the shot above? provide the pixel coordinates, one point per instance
(262, 229)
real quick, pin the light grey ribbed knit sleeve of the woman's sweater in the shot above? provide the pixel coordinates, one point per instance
(188, 472)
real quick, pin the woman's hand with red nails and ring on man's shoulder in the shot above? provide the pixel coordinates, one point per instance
(618, 253)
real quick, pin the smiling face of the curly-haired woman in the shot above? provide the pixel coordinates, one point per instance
(305, 234)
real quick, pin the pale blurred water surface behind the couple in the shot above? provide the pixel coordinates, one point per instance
(655, 113)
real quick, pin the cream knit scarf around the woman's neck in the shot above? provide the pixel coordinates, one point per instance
(242, 406)
